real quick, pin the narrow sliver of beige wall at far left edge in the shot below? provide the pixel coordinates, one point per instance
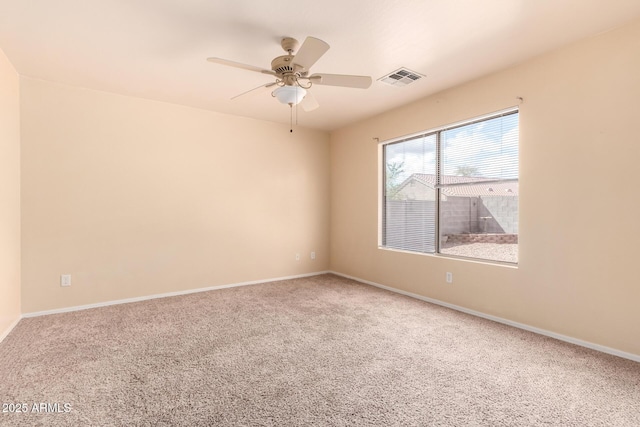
(9, 195)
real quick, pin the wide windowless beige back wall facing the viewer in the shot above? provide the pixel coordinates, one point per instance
(134, 197)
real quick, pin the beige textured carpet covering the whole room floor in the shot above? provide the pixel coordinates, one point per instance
(316, 351)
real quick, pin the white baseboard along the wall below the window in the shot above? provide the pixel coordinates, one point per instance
(529, 328)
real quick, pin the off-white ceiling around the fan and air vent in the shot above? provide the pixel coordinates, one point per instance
(156, 49)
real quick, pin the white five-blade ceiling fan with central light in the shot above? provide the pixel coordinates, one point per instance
(291, 72)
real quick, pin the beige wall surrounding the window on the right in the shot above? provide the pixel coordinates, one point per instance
(579, 196)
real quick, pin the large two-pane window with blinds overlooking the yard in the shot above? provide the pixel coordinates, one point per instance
(459, 183)
